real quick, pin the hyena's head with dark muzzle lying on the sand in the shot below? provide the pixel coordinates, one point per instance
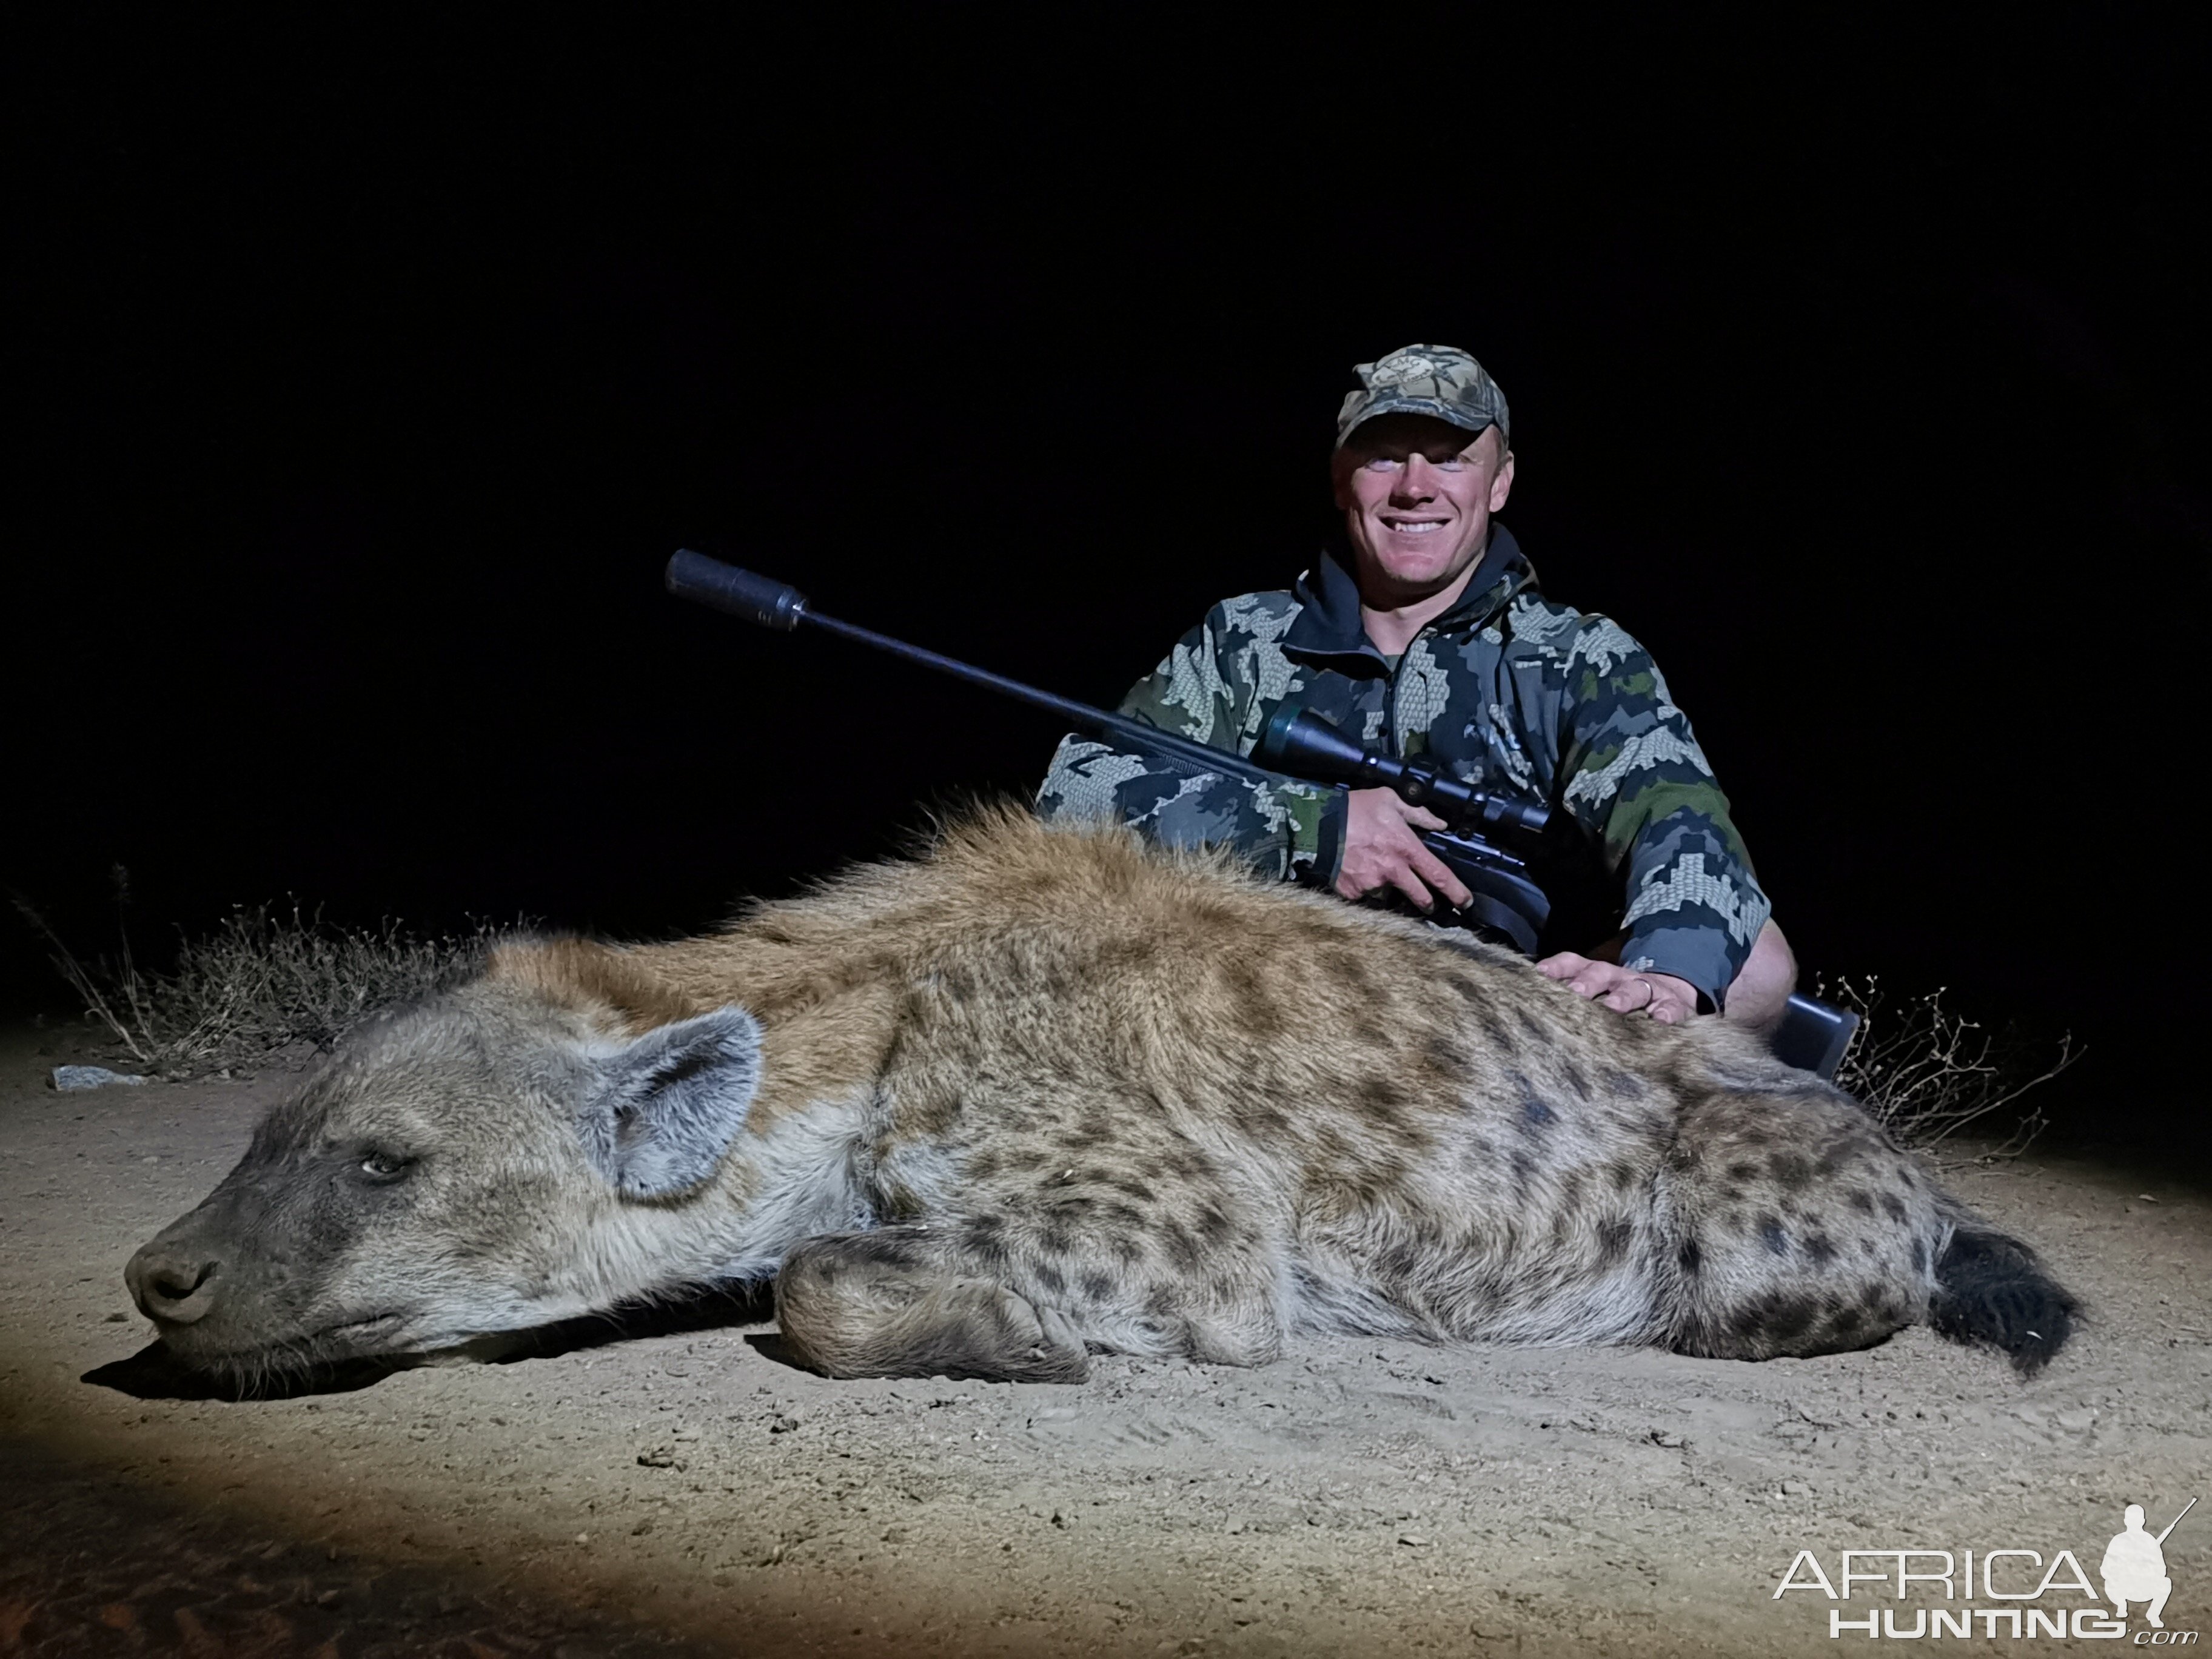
(483, 1162)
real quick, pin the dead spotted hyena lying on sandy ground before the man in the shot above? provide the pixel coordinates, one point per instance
(1047, 1094)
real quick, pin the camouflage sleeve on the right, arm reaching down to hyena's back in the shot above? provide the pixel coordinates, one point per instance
(1638, 778)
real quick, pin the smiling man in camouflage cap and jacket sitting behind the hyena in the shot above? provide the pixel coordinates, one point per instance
(1428, 636)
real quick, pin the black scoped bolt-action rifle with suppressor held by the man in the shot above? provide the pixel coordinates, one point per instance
(1538, 886)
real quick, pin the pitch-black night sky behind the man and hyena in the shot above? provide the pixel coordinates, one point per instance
(364, 386)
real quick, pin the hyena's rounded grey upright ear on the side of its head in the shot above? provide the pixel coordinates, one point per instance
(667, 1105)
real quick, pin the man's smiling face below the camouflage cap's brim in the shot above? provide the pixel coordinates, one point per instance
(1419, 499)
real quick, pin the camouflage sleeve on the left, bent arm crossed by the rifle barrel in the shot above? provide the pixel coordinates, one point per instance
(1284, 828)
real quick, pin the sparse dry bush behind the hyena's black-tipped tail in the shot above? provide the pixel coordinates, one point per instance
(1930, 1074)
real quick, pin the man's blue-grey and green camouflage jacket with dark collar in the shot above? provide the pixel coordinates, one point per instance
(1514, 693)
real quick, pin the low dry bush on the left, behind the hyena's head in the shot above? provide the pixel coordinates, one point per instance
(262, 981)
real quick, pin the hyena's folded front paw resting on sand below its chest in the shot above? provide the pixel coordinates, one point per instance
(897, 1302)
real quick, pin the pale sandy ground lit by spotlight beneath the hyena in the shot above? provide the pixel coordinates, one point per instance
(674, 1488)
